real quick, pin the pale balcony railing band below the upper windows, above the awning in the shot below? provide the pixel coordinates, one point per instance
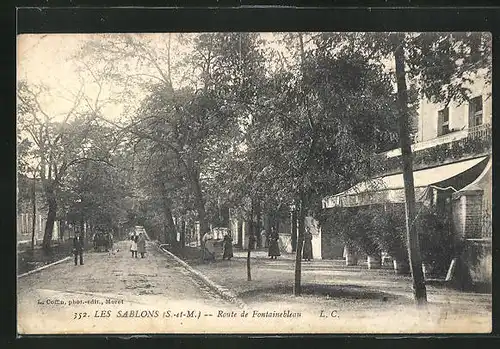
(477, 132)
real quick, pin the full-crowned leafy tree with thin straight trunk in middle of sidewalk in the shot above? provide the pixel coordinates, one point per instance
(310, 112)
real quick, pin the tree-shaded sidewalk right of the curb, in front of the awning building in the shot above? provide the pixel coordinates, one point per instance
(372, 297)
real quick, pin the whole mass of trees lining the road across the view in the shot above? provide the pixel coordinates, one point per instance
(256, 123)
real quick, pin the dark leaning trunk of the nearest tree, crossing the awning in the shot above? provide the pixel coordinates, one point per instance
(412, 227)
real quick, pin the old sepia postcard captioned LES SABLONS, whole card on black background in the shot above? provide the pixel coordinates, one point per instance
(254, 182)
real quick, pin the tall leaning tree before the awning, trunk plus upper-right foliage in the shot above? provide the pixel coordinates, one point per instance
(441, 65)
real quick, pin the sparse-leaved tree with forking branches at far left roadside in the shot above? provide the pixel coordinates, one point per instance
(59, 141)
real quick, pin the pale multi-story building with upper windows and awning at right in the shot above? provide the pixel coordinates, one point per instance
(453, 162)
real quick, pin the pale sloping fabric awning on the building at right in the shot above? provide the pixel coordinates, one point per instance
(390, 189)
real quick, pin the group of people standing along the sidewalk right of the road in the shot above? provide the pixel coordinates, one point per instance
(271, 241)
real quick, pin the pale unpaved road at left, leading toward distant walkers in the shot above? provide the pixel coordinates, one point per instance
(113, 292)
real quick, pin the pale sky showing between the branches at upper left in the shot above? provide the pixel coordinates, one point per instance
(49, 59)
